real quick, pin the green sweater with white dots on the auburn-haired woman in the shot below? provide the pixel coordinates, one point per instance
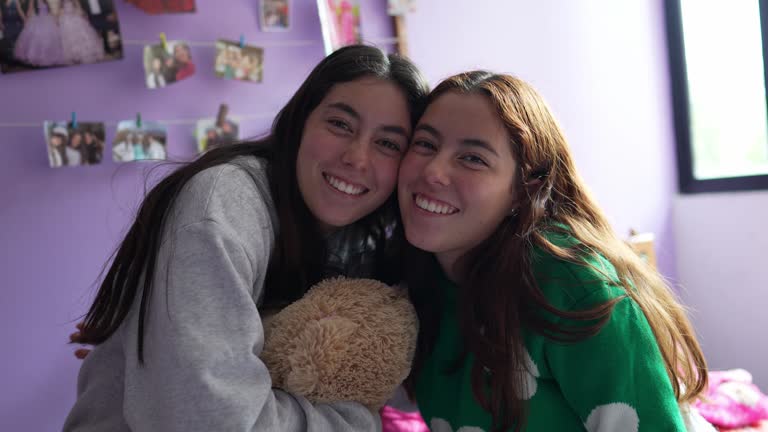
(614, 381)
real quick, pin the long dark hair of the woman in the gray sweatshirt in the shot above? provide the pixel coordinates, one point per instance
(301, 256)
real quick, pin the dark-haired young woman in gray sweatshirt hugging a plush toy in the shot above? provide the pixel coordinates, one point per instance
(176, 323)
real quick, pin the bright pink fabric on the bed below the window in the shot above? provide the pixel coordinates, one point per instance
(732, 401)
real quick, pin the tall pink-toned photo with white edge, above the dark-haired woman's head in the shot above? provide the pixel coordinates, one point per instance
(340, 23)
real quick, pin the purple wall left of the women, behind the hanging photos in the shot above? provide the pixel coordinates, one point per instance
(60, 225)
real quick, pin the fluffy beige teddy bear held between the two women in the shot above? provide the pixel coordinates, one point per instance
(345, 340)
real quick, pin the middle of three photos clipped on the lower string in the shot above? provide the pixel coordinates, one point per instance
(135, 142)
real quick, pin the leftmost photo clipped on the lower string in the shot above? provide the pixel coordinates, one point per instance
(74, 145)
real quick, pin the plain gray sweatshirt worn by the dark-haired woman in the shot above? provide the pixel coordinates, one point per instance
(203, 336)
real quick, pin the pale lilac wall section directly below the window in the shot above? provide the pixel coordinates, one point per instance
(722, 266)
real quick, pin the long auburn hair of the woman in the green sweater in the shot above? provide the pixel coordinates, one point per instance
(498, 293)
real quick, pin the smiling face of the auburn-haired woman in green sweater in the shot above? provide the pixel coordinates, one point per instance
(457, 180)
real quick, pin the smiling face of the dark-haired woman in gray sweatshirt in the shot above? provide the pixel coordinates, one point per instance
(350, 150)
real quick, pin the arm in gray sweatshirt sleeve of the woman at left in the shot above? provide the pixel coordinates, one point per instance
(203, 338)
